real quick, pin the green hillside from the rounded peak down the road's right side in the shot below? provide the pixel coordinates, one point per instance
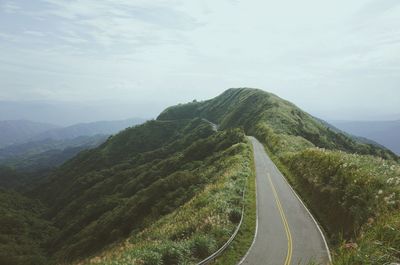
(352, 187)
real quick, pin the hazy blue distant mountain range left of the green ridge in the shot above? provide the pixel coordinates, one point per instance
(28, 145)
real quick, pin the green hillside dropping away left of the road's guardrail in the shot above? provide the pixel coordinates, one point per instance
(139, 181)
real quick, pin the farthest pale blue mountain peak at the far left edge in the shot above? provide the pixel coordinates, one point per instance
(13, 131)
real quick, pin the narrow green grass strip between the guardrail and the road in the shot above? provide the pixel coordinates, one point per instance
(243, 240)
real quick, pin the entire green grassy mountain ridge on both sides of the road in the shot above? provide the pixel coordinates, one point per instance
(169, 191)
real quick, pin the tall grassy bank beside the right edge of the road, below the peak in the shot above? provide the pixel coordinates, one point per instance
(355, 197)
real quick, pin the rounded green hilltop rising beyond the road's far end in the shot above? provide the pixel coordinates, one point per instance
(262, 114)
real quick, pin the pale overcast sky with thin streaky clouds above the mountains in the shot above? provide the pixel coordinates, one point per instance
(336, 59)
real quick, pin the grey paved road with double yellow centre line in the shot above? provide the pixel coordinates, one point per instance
(286, 233)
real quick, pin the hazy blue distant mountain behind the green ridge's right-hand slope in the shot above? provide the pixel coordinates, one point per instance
(385, 133)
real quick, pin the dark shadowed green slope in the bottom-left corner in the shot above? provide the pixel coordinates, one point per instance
(23, 231)
